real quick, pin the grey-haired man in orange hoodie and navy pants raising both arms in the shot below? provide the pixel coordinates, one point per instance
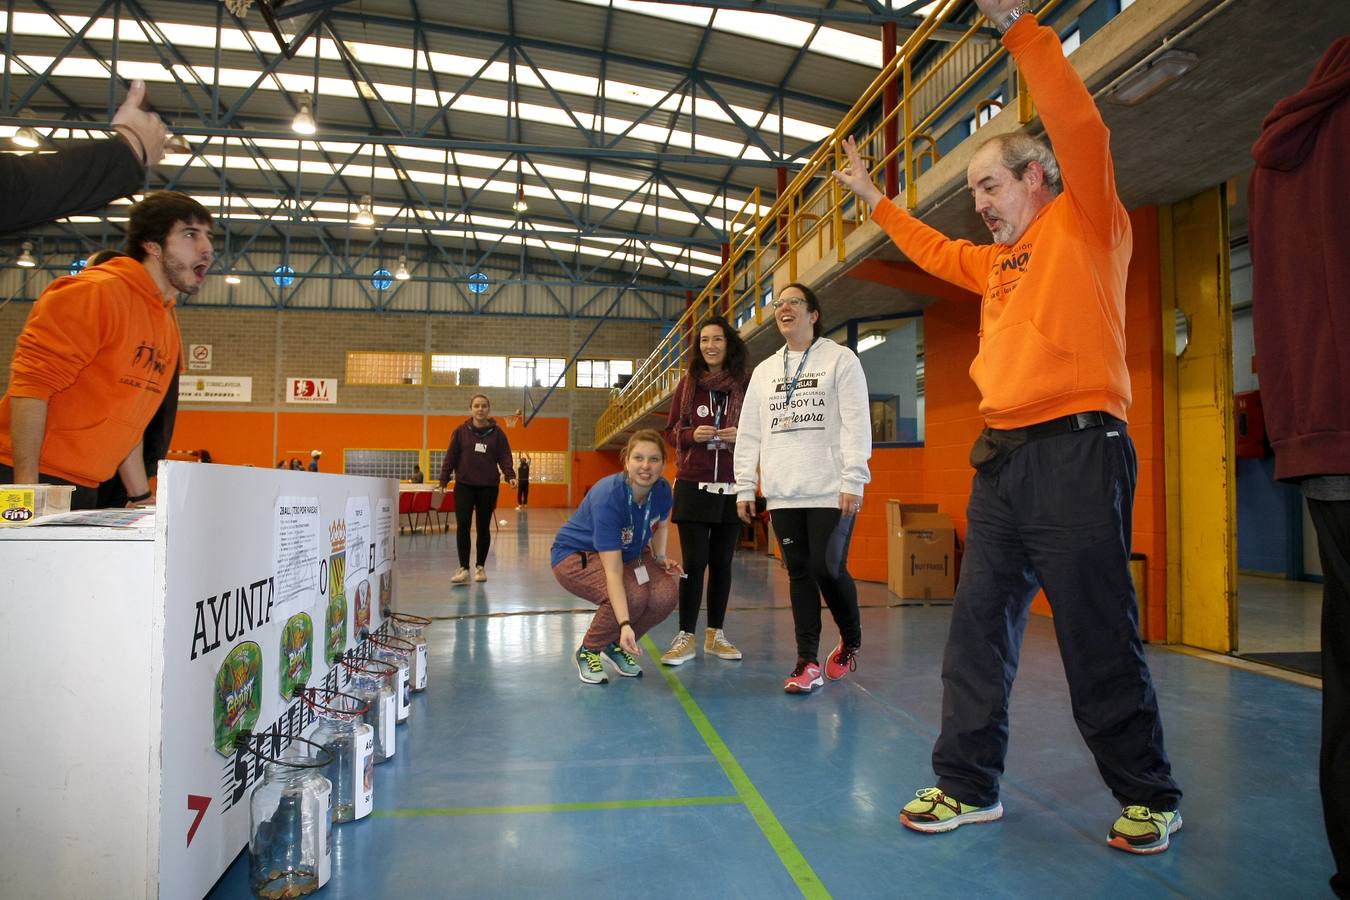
(1052, 499)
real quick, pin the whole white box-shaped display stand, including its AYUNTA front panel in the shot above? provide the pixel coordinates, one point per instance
(111, 656)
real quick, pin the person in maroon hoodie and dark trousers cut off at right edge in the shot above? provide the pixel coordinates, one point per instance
(1301, 316)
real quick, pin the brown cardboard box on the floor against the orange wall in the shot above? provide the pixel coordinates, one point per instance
(920, 553)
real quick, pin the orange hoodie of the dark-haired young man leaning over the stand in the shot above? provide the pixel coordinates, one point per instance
(101, 349)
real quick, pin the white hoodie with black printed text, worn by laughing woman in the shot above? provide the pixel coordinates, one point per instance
(809, 454)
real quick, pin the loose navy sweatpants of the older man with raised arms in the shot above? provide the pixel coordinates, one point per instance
(1058, 516)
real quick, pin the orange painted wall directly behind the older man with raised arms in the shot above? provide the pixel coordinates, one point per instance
(939, 473)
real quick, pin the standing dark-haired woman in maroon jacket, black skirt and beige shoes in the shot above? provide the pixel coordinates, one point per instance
(701, 427)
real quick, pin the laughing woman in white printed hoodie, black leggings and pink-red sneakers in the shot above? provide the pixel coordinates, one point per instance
(807, 432)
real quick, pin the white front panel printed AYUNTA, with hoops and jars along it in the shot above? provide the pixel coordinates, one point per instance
(268, 575)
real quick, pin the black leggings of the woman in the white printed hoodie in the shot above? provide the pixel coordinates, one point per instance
(815, 544)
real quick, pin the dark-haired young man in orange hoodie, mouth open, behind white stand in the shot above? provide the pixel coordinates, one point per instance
(98, 354)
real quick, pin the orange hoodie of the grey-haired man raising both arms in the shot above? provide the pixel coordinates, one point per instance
(1052, 318)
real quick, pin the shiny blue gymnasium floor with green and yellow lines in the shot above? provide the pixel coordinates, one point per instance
(514, 779)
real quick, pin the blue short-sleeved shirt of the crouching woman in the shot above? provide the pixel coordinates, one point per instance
(610, 520)
